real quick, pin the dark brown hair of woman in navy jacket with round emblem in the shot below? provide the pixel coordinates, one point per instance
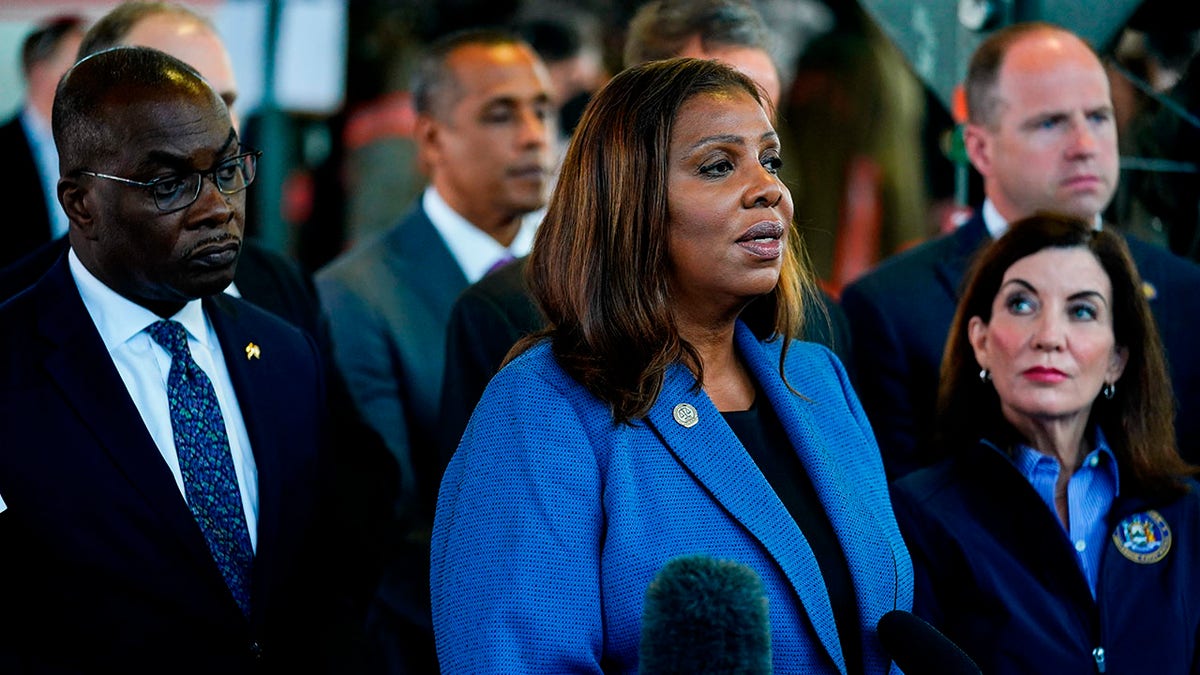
(1138, 422)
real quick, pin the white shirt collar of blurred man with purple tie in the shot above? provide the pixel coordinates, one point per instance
(473, 249)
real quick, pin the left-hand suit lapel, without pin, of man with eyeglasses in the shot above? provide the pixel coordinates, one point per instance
(80, 366)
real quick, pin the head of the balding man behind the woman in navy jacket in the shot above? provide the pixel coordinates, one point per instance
(1041, 130)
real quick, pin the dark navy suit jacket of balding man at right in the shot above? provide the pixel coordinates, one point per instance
(901, 315)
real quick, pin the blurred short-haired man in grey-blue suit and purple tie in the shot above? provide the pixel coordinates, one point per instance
(484, 133)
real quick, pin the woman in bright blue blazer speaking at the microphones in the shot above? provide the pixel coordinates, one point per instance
(665, 413)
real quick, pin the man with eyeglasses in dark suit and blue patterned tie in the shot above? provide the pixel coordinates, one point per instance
(161, 441)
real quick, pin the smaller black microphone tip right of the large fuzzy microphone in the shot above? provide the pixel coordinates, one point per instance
(920, 649)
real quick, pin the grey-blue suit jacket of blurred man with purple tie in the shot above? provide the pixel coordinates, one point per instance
(389, 302)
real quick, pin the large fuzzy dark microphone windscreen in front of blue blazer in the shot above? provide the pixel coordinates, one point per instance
(705, 616)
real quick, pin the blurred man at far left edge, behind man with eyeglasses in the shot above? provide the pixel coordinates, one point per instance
(32, 207)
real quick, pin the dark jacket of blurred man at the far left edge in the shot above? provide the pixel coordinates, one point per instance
(27, 225)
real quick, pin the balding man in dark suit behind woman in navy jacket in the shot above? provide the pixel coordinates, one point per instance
(1041, 133)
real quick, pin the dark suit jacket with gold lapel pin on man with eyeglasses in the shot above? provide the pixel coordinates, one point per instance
(104, 566)
